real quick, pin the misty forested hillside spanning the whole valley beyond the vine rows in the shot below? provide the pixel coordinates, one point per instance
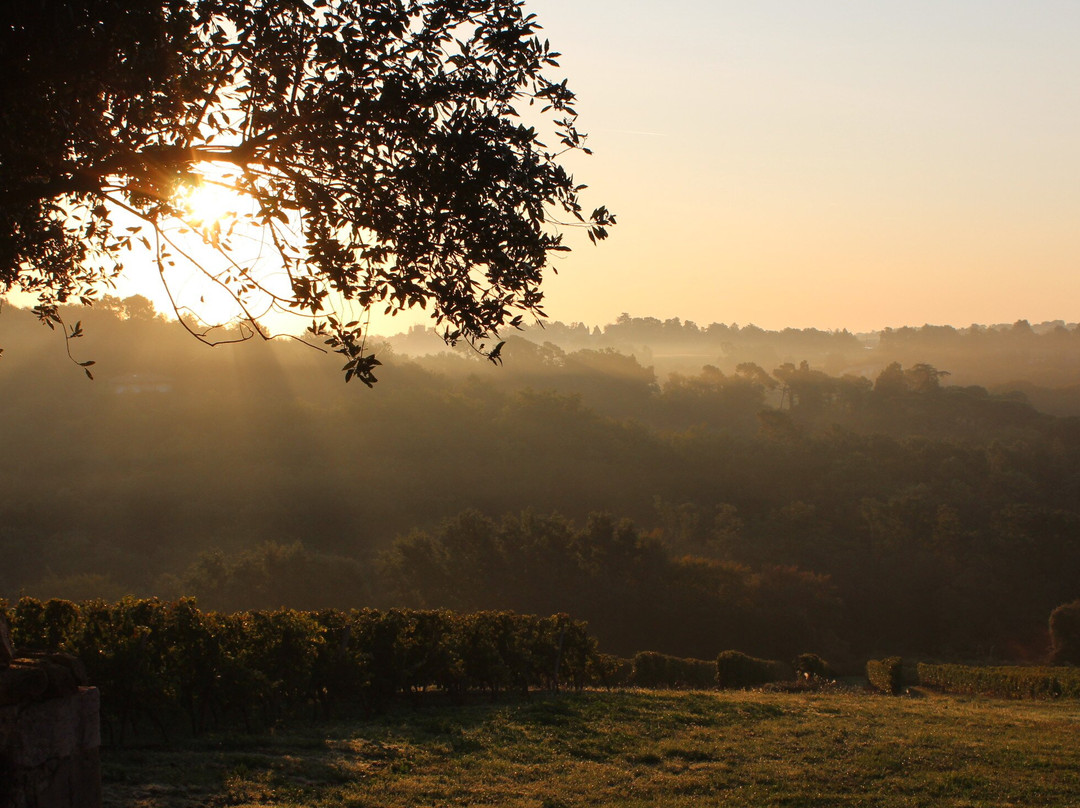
(778, 508)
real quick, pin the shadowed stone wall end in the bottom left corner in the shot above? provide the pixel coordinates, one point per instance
(50, 733)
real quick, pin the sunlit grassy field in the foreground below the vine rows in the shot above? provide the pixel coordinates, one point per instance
(633, 749)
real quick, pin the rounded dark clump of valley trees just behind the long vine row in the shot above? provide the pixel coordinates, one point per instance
(631, 589)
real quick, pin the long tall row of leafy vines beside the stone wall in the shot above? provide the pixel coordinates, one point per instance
(157, 664)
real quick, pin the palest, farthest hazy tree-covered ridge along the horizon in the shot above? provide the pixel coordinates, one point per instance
(1043, 358)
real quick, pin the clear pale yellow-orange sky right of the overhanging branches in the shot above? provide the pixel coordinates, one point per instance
(832, 165)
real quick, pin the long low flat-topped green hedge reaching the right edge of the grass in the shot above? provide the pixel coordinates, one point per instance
(1004, 682)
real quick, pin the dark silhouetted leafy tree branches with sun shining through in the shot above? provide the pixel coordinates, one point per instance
(380, 145)
